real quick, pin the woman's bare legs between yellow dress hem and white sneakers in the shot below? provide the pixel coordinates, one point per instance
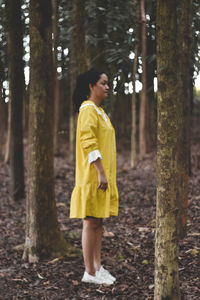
(91, 243)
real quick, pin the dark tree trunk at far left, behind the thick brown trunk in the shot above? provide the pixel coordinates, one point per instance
(16, 93)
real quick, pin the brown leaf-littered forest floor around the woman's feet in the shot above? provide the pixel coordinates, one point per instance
(128, 242)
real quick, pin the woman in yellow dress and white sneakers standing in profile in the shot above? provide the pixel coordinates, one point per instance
(95, 195)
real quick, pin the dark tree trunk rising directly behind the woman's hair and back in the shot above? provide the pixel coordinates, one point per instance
(78, 63)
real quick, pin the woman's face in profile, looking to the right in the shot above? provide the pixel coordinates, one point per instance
(100, 89)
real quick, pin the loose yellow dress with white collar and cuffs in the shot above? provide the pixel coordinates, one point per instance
(95, 138)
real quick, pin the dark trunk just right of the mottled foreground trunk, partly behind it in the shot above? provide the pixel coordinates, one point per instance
(185, 54)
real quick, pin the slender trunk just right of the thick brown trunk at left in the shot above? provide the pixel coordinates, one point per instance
(56, 81)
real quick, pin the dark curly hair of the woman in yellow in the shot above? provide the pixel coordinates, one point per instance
(82, 90)
